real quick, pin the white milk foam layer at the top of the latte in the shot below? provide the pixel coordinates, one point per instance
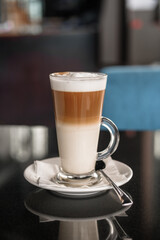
(78, 81)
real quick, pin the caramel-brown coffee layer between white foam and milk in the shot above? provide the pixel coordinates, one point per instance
(78, 107)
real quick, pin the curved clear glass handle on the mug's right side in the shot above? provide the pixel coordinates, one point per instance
(114, 138)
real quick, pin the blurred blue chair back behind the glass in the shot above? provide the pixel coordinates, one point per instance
(132, 98)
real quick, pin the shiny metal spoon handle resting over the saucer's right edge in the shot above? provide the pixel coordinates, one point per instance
(123, 197)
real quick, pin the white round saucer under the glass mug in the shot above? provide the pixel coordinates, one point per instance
(125, 174)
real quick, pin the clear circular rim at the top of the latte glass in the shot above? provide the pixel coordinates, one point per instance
(63, 76)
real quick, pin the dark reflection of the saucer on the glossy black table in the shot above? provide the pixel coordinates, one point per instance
(50, 206)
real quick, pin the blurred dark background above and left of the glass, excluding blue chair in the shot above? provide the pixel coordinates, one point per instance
(39, 37)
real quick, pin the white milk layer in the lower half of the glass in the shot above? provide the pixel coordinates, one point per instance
(78, 147)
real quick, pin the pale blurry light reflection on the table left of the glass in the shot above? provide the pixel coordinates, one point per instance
(22, 143)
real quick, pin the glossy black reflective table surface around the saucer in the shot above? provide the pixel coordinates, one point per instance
(28, 212)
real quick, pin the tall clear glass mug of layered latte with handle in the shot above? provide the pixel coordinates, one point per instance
(78, 101)
